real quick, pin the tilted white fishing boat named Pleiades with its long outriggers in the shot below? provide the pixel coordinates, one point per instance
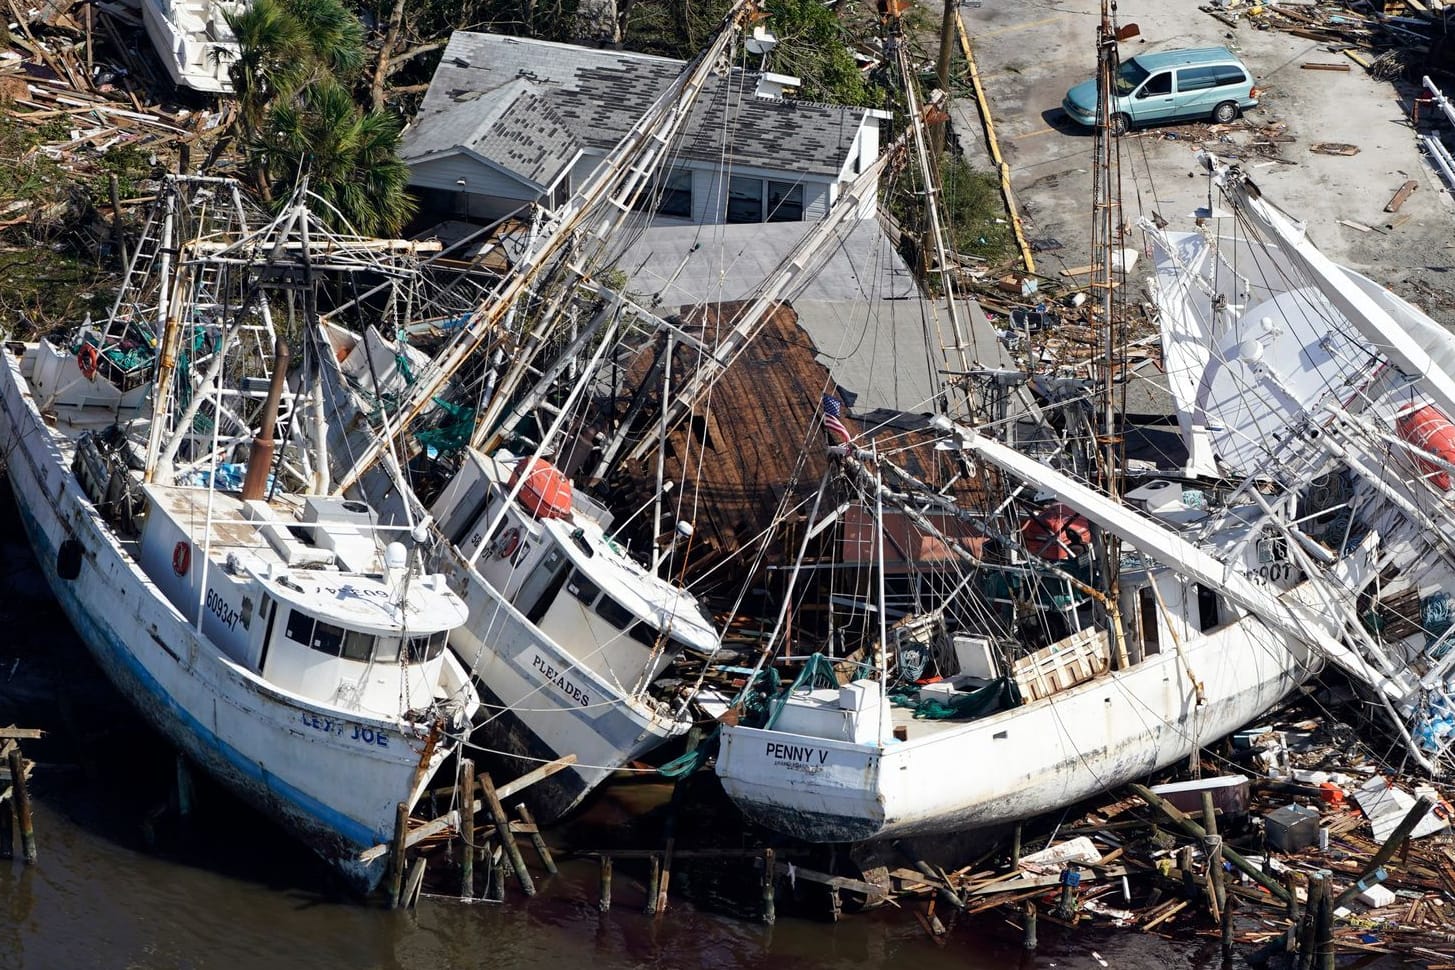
(570, 630)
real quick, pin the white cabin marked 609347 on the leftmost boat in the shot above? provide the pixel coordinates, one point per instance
(311, 598)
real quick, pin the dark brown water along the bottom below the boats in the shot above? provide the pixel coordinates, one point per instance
(124, 883)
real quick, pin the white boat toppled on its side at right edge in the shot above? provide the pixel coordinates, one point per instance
(1335, 396)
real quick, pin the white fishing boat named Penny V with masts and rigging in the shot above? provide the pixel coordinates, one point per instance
(1013, 629)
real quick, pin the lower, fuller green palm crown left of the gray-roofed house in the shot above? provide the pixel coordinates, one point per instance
(350, 158)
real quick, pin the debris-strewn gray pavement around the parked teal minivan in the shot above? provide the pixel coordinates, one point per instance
(1031, 53)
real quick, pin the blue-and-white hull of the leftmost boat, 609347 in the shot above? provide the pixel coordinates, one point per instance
(334, 783)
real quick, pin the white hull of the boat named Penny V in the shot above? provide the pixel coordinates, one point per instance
(1015, 764)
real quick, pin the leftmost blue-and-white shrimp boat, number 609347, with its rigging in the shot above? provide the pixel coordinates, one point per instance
(280, 639)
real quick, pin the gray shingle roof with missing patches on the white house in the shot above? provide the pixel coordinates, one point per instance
(597, 95)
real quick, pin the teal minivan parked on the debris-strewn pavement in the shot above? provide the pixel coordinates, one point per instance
(1168, 87)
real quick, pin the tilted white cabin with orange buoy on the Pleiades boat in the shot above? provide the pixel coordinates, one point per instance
(554, 561)
